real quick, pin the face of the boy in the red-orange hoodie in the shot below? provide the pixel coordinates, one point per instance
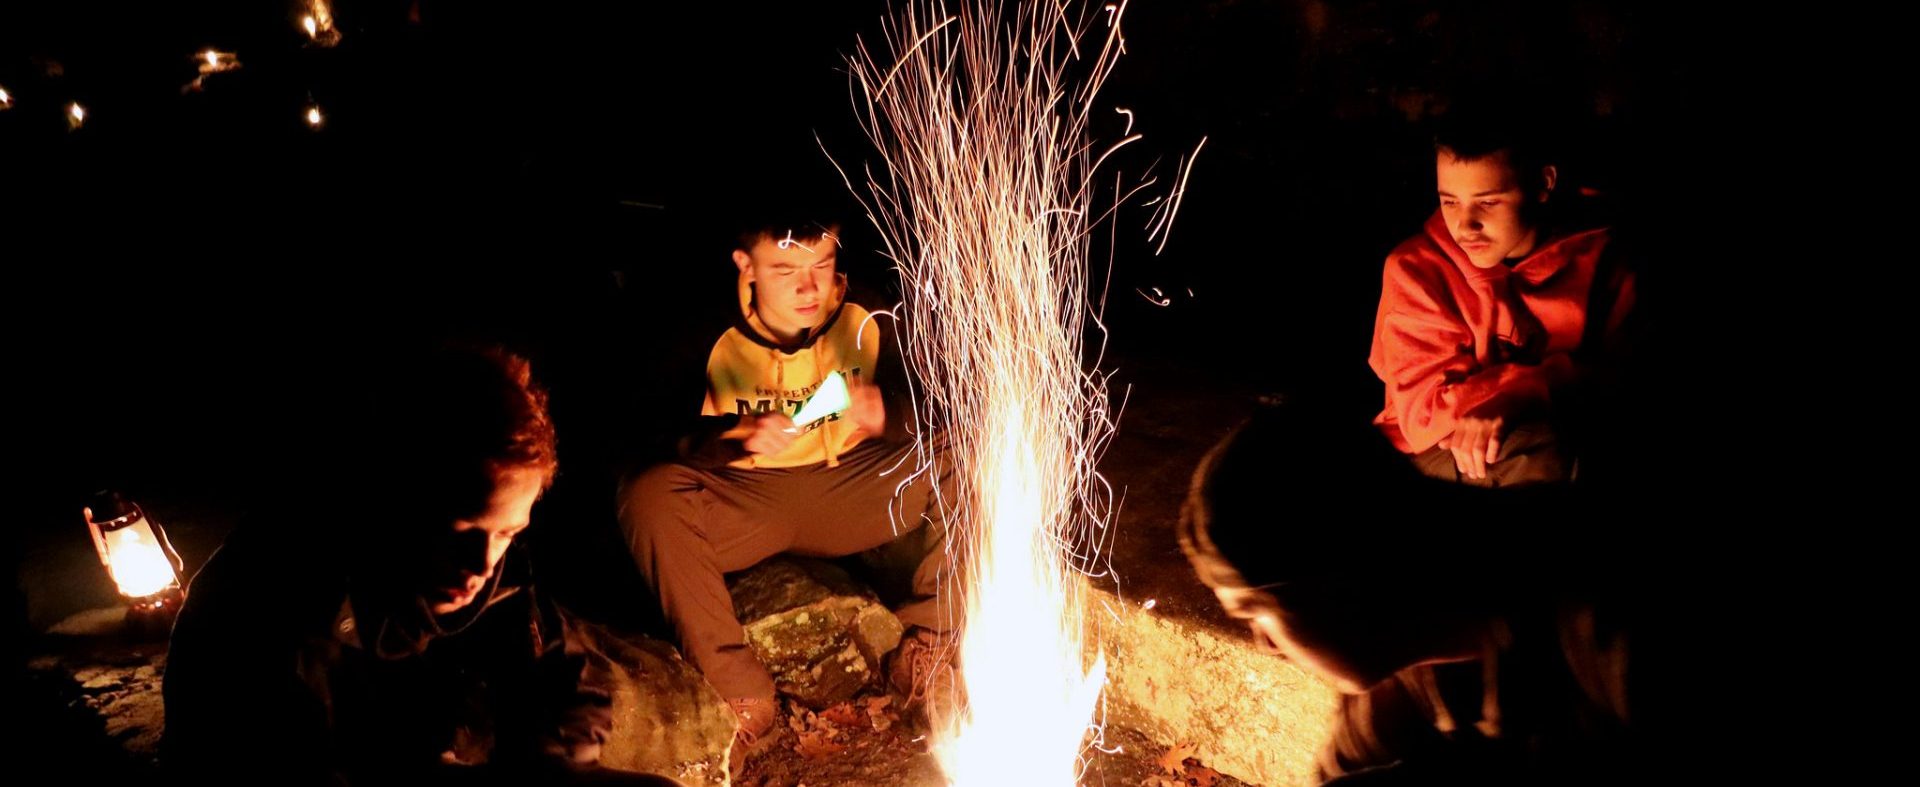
(1485, 206)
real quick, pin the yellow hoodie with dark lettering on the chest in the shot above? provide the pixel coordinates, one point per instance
(750, 371)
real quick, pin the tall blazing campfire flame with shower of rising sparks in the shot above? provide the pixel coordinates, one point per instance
(984, 204)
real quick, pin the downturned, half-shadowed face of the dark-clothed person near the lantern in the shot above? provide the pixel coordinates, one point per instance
(466, 550)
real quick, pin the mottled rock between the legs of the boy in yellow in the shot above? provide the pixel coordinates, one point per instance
(819, 632)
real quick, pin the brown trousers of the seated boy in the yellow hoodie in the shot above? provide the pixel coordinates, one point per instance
(688, 527)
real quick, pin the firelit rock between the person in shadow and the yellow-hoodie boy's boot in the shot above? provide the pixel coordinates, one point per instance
(665, 717)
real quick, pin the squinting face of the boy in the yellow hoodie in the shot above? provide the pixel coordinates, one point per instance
(794, 281)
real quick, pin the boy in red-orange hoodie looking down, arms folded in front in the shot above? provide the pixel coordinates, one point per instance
(1497, 318)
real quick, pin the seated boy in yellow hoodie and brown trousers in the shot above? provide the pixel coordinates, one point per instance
(750, 483)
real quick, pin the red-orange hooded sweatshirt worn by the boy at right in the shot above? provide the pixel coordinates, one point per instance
(1452, 337)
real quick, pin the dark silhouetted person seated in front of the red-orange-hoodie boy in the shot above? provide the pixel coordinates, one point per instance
(1477, 636)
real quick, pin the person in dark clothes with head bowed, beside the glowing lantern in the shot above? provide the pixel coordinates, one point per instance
(381, 625)
